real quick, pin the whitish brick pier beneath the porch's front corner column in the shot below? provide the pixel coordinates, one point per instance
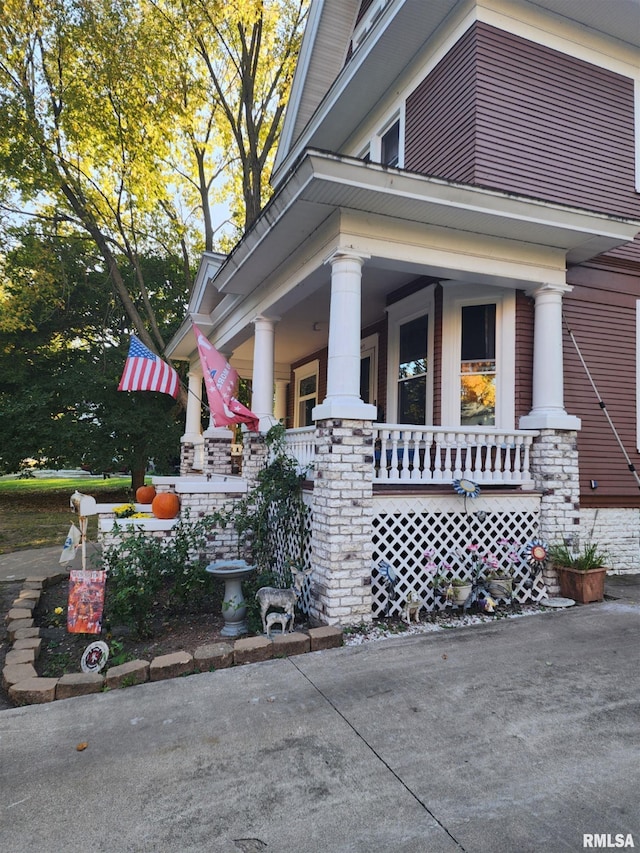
(342, 518)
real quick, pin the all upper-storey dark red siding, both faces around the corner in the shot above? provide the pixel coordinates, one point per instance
(503, 112)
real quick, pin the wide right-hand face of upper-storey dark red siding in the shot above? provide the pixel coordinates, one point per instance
(552, 126)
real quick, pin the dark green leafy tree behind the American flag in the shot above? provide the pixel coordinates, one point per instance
(60, 361)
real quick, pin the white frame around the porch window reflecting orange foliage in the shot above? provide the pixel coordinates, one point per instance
(455, 296)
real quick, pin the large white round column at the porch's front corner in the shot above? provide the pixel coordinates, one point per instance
(343, 367)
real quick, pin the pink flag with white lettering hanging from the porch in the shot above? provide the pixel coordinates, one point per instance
(221, 382)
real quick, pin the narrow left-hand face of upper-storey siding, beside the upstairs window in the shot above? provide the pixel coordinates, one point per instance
(440, 117)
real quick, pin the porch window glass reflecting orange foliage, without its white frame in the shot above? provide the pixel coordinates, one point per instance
(478, 365)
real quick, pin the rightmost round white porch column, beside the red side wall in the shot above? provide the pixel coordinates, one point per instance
(548, 411)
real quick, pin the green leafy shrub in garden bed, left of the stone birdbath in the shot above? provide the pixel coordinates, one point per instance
(139, 566)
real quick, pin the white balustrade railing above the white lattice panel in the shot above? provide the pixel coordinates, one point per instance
(488, 456)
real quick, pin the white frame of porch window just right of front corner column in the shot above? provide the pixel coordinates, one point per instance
(416, 305)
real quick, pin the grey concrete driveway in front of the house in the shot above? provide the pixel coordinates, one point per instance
(513, 737)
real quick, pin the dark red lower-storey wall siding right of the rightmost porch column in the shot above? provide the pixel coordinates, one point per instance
(601, 311)
